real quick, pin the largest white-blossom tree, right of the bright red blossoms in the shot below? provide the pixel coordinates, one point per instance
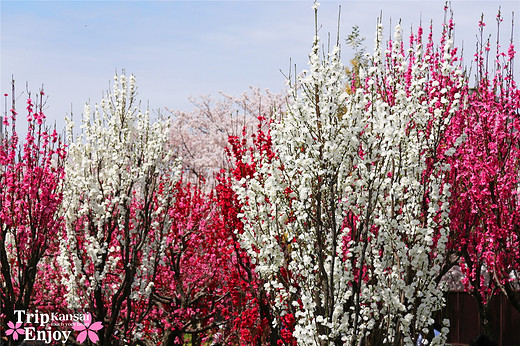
(346, 216)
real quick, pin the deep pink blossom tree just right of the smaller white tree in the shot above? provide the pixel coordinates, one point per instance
(190, 289)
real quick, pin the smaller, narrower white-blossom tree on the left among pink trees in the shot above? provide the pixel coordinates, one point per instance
(118, 190)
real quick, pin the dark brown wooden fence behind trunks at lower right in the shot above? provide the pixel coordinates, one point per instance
(462, 311)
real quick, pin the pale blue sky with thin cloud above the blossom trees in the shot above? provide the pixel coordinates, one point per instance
(179, 49)
